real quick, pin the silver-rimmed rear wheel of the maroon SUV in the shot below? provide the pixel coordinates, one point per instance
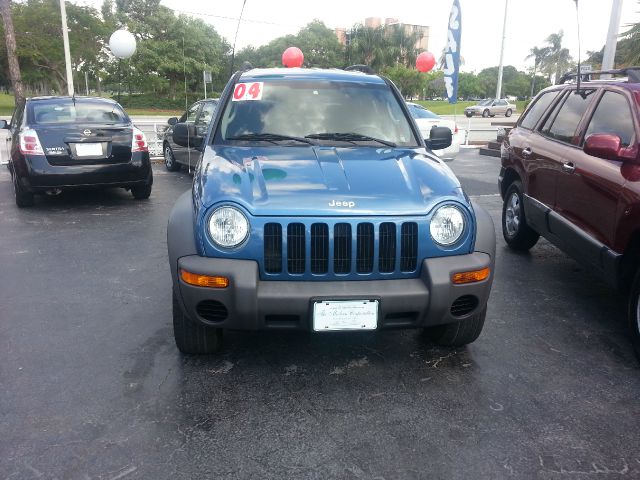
(516, 232)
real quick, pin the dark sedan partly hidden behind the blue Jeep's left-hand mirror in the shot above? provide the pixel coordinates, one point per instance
(197, 119)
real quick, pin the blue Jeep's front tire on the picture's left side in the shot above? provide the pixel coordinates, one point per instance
(191, 337)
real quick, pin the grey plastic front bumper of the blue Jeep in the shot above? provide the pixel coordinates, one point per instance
(249, 303)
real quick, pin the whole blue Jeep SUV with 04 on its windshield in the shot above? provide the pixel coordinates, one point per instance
(316, 205)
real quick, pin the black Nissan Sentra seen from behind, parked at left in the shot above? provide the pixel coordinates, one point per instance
(58, 143)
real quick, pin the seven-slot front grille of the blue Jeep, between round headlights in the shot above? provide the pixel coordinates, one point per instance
(325, 249)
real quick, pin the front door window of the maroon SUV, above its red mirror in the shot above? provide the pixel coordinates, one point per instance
(612, 115)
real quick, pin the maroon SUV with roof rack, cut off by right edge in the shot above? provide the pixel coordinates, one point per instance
(571, 173)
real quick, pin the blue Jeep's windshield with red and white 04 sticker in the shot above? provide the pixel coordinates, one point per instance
(328, 112)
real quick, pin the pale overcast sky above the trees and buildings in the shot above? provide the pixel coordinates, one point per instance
(529, 22)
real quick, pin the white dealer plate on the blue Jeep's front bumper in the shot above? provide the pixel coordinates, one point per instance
(331, 315)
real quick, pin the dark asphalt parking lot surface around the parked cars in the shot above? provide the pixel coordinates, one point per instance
(92, 386)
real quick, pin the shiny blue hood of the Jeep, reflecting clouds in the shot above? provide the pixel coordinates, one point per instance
(325, 181)
